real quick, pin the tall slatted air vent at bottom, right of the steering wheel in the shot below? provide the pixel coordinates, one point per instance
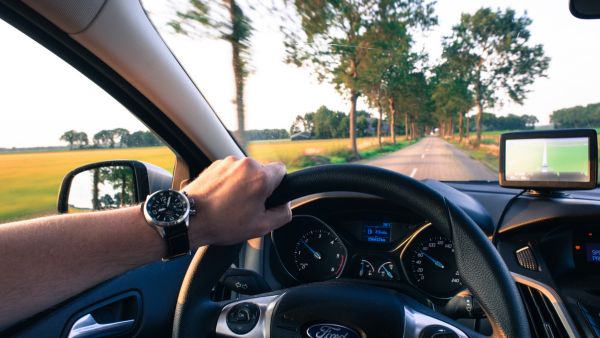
(544, 322)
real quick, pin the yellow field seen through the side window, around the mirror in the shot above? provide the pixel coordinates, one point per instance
(29, 182)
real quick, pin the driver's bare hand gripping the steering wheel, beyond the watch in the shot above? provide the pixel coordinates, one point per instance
(230, 200)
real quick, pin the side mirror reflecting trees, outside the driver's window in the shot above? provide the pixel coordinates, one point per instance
(110, 185)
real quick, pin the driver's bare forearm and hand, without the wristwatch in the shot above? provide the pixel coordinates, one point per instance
(45, 261)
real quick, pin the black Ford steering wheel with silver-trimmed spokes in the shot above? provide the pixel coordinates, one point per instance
(345, 308)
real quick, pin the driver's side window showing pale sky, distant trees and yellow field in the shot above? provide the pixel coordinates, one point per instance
(53, 119)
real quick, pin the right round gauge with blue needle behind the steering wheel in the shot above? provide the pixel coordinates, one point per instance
(430, 264)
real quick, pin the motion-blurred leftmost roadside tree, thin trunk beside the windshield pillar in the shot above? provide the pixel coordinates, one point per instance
(227, 21)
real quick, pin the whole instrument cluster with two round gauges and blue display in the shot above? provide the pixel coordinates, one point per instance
(366, 247)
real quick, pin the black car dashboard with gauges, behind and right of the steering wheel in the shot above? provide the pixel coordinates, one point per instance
(551, 245)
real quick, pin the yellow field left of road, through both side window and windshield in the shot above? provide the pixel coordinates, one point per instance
(29, 182)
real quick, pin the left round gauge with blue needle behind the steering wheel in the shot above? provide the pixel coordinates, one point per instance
(319, 254)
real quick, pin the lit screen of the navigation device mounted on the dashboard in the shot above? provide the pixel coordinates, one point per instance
(547, 159)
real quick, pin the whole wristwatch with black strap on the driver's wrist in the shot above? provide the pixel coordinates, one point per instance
(168, 212)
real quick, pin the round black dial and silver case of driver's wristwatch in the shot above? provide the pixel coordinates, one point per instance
(167, 207)
